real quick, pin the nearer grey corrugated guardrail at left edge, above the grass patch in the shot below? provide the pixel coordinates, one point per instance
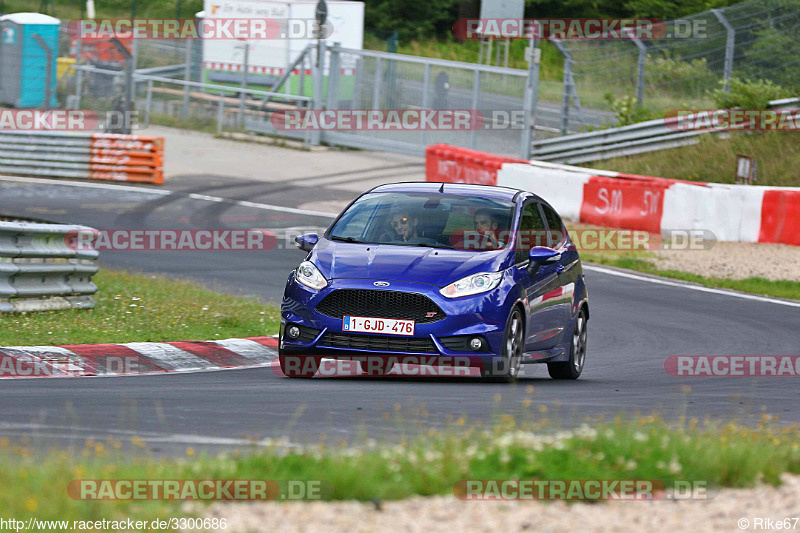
(39, 271)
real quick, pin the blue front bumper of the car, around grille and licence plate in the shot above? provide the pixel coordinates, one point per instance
(483, 315)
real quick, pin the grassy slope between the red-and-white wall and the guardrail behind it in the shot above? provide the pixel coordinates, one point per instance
(714, 159)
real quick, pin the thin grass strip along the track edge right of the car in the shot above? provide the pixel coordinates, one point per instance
(638, 261)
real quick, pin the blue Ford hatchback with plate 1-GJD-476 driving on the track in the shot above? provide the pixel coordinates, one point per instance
(438, 274)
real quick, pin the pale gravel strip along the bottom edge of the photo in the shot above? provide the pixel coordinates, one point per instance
(446, 513)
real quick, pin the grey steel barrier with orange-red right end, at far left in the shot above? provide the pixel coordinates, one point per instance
(97, 156)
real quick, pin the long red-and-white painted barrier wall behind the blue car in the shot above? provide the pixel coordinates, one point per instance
(732, 212)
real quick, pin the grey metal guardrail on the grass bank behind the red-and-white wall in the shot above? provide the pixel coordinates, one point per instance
(649, 136)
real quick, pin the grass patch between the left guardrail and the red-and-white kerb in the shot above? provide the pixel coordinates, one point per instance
(135, 307)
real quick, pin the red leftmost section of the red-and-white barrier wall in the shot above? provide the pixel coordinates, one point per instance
(452, 164)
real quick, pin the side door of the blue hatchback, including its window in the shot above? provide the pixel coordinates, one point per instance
(542, 322)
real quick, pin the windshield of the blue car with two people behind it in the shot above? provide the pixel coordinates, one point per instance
(437, 220)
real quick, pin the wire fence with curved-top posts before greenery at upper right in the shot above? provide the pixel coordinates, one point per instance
(757, 39)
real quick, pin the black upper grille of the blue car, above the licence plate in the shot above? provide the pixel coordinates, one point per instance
(380, 304)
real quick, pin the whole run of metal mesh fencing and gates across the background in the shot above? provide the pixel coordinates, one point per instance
(174, 85)
